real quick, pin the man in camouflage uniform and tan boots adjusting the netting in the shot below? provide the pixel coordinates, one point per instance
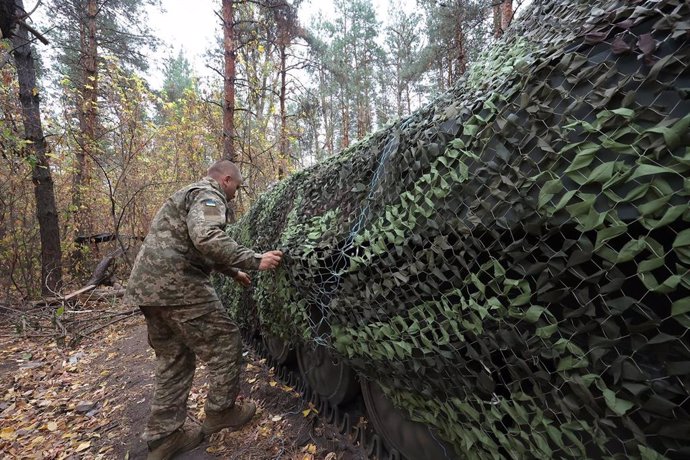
(171, 284)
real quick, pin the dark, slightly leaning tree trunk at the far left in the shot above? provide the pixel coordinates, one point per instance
(46, 210)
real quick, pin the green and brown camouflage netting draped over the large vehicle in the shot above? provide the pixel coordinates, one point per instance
(511, 263)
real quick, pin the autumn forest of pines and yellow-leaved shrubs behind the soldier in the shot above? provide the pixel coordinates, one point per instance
(90, 148)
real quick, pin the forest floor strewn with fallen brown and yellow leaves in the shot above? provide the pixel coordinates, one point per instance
(90, 398)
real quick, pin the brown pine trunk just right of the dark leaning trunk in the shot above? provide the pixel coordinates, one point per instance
(88, 114)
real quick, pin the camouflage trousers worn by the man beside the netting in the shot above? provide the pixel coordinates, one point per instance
(178, 335)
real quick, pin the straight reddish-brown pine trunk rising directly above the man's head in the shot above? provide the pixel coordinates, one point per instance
(229, 82)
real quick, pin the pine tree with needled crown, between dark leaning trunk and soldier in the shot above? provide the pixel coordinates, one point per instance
(87, 32)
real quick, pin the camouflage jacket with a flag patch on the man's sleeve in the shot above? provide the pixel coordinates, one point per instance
(185, 244)
